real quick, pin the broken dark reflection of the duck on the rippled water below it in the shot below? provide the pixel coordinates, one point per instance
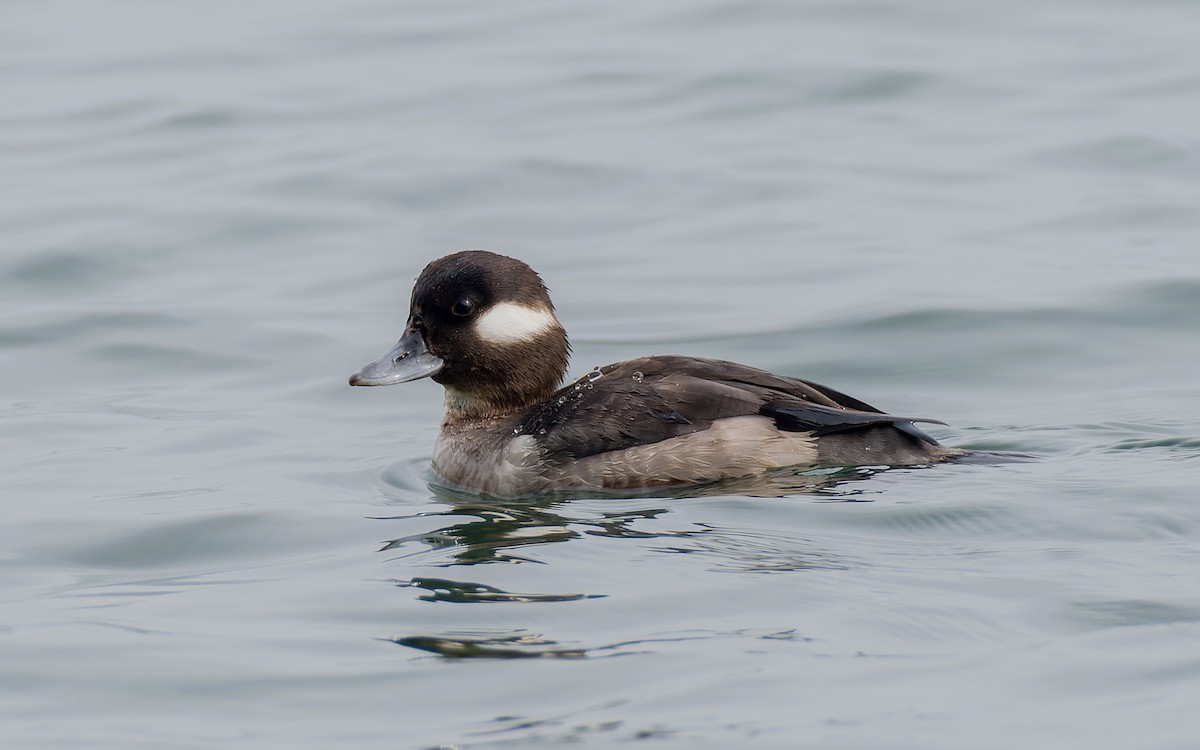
(484, 530)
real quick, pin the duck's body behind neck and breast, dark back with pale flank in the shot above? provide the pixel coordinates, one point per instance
(664, 421)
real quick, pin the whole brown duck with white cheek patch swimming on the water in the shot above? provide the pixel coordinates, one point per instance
(483, 326)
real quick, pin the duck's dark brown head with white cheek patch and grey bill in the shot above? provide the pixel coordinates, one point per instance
(482, 326)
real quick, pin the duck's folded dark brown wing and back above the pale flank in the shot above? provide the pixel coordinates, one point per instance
(649, 400)
